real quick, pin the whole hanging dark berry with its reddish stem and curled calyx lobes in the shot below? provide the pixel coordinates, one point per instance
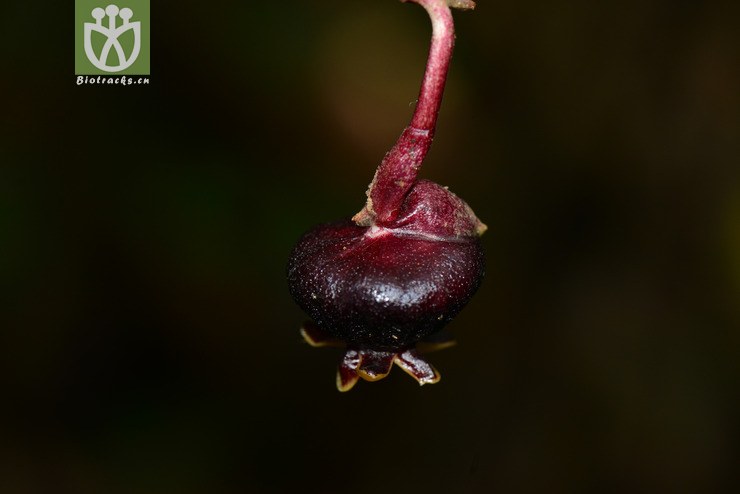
(407, 263)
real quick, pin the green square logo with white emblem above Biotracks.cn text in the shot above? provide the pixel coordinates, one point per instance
(83, 9)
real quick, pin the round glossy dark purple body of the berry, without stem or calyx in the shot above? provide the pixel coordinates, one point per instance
(383, 288)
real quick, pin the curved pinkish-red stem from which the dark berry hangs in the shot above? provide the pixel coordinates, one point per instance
(397, 172)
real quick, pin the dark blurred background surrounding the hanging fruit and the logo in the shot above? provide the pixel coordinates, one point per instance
(148, 343)
